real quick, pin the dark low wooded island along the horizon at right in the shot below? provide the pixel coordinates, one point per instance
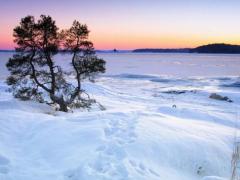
(220, 48)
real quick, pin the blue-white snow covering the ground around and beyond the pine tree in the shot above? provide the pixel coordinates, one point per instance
(154, 127)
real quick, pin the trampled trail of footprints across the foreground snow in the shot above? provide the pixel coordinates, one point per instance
(110, 161)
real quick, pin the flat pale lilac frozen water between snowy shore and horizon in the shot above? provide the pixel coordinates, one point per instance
(164, 64)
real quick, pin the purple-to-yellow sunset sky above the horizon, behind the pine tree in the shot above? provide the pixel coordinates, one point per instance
(130, 24)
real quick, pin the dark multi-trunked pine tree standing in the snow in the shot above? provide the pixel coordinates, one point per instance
(34, 73)
